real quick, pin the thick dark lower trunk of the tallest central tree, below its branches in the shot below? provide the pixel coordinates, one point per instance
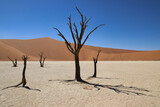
(77, 69)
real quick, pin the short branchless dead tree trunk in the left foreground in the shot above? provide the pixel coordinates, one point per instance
(23, 82)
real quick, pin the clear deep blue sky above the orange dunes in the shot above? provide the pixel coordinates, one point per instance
(129, 24)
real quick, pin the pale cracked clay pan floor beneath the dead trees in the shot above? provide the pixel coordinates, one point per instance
(138, 82)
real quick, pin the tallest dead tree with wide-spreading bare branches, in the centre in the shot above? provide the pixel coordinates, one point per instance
(77, 38)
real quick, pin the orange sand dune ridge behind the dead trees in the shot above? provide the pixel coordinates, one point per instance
(56, 50)
